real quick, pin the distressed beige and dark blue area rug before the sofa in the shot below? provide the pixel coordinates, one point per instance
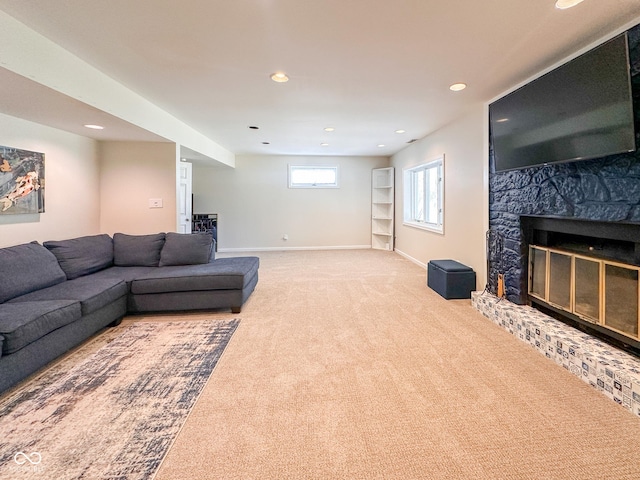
(114, 414)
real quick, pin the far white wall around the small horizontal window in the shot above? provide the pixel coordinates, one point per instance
(256, 208)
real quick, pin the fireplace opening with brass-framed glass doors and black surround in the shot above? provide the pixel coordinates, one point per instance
(587, 274)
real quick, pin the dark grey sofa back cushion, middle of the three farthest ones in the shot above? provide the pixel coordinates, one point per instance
(137, 250)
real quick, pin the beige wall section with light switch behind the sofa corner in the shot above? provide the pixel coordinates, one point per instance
(131, 173)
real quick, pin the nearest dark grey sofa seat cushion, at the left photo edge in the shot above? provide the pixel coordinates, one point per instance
(22, 323)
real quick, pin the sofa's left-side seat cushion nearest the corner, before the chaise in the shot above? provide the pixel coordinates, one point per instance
(92, 293)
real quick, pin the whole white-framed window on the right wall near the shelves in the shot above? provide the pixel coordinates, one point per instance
(423, 195)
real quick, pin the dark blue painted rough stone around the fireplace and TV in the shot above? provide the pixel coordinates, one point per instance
(602, 189)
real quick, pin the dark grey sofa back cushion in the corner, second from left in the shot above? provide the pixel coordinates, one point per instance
(84, 255)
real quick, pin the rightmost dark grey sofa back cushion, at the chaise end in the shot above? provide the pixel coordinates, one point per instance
(186, 249)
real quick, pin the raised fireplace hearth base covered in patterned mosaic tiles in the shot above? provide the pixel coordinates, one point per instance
(611, 371)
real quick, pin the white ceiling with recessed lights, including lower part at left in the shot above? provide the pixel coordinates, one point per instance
(364, 67)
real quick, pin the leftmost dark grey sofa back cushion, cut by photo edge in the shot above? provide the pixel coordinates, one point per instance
(26, 268)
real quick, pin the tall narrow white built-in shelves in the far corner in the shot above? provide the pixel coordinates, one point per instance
(382, 208)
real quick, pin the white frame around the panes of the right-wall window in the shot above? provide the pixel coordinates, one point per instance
(411, 199)
